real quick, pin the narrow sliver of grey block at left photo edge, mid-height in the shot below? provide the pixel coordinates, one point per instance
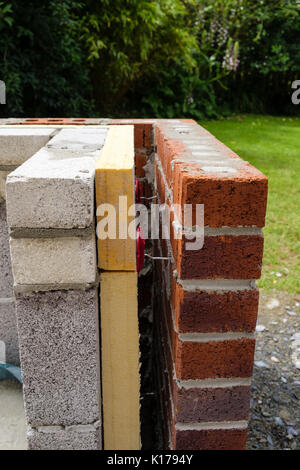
(6, 279)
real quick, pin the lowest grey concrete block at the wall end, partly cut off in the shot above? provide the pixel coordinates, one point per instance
(77, 438)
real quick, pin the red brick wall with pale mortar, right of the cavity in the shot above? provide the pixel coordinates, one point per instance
(206, 300)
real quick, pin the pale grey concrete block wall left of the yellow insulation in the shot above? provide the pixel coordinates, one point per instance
(51, 218)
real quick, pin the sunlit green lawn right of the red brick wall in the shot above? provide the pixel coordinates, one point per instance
(272, 144)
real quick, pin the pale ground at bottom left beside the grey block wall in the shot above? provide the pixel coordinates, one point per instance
(12, 416)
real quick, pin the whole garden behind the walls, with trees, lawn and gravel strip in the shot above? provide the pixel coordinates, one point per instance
(230, 65)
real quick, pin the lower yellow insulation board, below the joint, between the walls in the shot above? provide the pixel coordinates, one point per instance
(120, 360)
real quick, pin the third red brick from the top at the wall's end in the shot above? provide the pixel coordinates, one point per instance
(208, 312)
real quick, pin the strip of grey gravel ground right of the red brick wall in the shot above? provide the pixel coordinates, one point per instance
(275, 406)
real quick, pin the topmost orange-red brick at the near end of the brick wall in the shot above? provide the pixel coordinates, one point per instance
(234, 201)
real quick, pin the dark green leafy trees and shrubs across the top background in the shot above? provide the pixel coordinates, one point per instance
(165, 58)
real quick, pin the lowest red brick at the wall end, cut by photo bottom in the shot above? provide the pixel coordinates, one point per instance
(211, 439)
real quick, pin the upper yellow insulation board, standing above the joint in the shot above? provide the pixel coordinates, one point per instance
(115, 179)
